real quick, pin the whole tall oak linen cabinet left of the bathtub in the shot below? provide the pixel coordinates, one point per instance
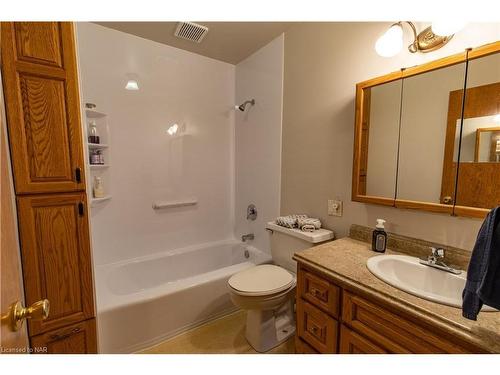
(46, 143)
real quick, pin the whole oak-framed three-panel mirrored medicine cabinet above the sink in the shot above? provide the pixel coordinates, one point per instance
(421, 143)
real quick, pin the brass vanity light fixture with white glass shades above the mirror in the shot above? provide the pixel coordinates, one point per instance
(391, 42)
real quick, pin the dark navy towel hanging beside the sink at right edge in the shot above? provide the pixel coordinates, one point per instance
(483, 275)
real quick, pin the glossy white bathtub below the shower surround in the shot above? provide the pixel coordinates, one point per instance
(143, 301)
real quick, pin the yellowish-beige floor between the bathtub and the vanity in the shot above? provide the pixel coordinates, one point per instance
(222, 336)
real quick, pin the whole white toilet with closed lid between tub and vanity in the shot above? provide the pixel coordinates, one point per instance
(267, 291)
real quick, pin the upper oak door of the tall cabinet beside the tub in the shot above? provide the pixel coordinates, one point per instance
(43, 111)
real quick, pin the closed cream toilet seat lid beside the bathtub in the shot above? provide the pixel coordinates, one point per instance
(262, 280)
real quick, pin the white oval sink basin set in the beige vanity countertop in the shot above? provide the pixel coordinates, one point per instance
(406, 273)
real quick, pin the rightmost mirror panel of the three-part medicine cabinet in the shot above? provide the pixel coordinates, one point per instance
(478, 181)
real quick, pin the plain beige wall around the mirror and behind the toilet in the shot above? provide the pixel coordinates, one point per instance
(323, 62)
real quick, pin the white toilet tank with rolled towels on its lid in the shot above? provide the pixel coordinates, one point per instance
(285, 242)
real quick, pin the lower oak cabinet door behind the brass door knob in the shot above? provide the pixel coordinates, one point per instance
(56, 257)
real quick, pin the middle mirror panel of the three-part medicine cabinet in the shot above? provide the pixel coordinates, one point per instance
(424, 173)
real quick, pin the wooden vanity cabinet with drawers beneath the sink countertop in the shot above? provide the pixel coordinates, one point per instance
(337, 320)
